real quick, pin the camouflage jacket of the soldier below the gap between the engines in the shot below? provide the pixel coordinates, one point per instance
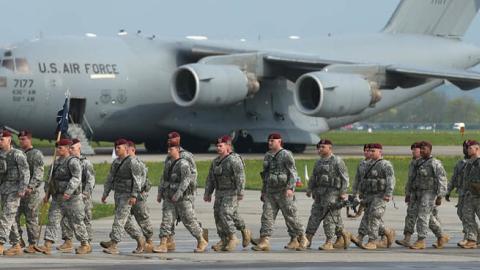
(279, 171)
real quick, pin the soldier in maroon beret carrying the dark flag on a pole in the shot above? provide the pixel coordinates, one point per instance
(65, 187)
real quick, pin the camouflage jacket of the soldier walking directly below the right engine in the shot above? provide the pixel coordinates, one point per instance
(329, 174)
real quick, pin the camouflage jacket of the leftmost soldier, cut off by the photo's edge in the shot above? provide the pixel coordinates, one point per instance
(14, 171)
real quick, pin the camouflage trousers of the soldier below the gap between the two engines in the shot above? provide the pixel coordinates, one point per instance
(275, 202)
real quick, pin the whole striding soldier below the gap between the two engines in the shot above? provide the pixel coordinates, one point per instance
(279, 175)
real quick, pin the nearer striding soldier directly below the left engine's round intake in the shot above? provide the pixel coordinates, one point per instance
(176, 192)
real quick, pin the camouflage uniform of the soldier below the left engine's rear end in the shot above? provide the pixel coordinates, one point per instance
(227, 177)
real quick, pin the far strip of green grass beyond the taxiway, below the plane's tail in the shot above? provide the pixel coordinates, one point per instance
(399, 138)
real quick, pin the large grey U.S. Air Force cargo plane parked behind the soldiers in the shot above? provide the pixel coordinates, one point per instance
(142, 88)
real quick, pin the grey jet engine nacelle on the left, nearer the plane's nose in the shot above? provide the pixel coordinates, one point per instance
(211, 85)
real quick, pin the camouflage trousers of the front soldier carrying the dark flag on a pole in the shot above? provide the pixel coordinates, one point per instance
(73, 210)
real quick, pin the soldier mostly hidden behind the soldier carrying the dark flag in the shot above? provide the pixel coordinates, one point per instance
(88, 184)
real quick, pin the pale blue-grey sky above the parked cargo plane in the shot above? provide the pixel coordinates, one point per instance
(217, 19)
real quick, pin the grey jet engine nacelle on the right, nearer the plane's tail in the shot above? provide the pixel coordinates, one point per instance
(326, 94)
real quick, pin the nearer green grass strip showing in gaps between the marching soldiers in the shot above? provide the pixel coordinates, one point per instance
(253, 168)
